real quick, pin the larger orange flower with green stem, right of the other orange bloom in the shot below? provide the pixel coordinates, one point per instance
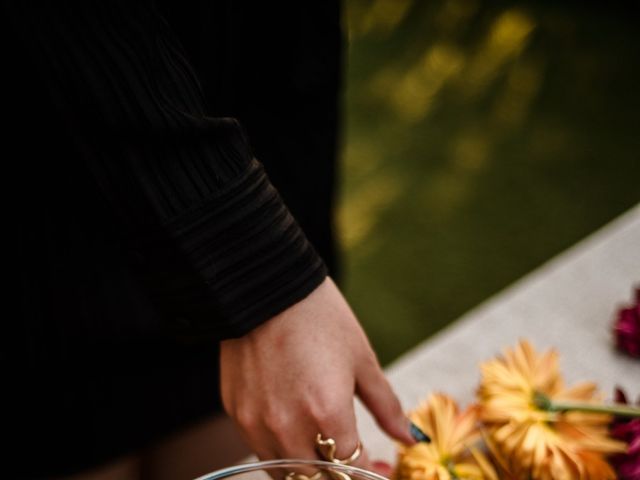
(532, 441)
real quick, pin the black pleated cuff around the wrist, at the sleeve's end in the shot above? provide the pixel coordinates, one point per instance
(248, 260)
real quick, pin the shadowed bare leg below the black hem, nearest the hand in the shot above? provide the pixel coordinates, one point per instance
(212, 444)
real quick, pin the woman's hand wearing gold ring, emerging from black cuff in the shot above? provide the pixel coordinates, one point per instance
(296, 376)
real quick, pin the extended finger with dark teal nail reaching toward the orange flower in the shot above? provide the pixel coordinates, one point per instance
(376, 393)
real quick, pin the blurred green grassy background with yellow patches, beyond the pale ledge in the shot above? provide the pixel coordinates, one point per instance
(481, 139)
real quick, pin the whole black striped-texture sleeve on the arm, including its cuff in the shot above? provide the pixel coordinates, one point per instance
(218, 246)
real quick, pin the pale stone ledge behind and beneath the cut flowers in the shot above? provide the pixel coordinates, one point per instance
(568, 303)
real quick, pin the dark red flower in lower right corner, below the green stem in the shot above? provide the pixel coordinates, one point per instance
(628, 430)
